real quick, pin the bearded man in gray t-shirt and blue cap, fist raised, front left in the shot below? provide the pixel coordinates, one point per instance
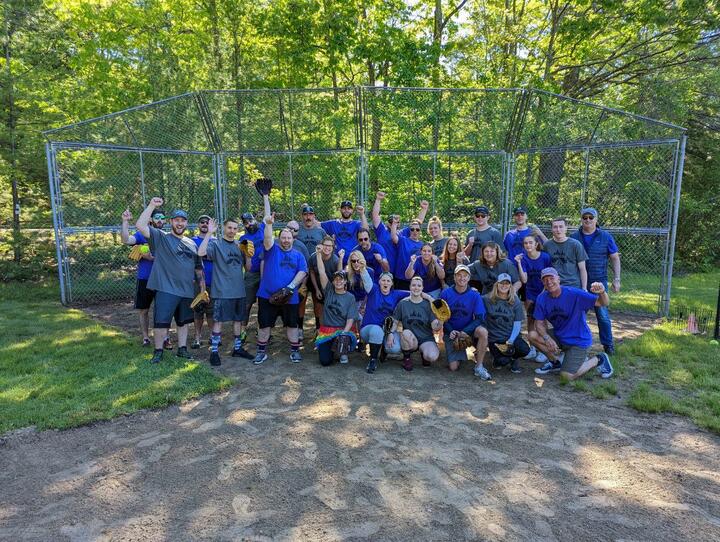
(175, 269)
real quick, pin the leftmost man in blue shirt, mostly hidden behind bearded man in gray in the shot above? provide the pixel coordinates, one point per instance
(143, 296)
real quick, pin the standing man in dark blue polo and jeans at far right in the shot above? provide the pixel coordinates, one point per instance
(600, 247)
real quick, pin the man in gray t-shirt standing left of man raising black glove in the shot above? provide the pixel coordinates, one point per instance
(230, 261)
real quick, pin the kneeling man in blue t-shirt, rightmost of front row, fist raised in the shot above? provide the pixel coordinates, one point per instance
(568, 346)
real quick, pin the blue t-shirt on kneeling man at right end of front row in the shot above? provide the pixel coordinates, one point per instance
(566, 313)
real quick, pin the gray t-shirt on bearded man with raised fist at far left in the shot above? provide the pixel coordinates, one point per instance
(175, 262)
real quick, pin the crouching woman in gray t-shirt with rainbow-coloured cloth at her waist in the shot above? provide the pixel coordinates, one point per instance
(338, 318)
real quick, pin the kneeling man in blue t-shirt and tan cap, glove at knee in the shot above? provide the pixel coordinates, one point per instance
(467, 316)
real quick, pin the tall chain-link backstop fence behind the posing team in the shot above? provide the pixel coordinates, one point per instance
(456, 148)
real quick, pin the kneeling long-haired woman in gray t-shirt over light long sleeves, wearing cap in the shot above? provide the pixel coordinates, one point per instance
(504, 315)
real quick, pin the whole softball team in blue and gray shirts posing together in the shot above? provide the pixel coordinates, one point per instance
(381, 296)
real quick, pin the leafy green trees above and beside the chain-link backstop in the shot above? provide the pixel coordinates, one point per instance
(69, 60)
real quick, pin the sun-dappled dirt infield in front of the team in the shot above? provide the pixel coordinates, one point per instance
(297, 451)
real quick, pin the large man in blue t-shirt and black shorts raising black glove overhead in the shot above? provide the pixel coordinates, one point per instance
(284, 267)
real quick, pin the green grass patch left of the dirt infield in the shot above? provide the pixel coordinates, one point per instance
(59, 368)
